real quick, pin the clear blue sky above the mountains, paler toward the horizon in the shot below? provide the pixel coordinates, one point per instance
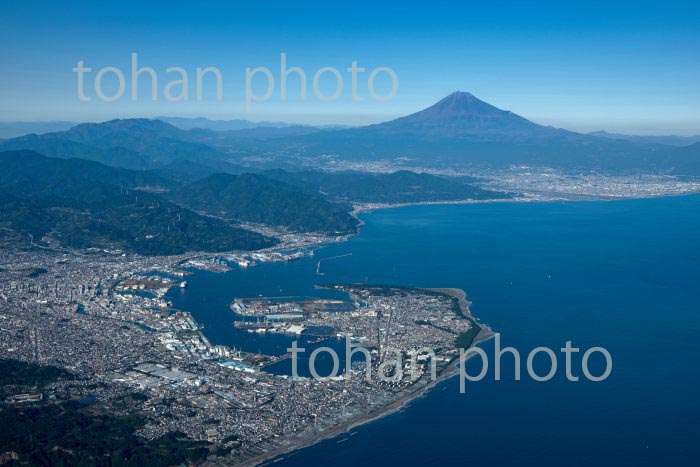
(632, 67)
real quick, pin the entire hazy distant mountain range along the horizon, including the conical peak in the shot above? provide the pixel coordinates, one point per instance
(458, 131)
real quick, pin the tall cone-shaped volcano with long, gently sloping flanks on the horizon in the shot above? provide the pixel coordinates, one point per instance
(462, 131)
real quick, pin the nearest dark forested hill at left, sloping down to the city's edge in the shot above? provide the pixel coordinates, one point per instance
(82, 204)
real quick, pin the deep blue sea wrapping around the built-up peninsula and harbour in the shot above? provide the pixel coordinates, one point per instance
(624, 275)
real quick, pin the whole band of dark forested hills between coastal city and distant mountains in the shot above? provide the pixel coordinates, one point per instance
(79, 203)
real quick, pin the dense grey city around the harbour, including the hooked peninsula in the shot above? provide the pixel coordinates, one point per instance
(104, 318)
